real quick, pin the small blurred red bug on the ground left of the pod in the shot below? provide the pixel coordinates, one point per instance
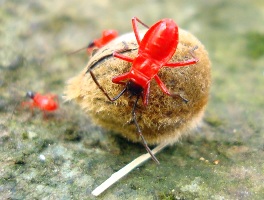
(46, 103)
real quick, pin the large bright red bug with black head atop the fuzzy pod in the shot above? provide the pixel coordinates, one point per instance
(155, 51)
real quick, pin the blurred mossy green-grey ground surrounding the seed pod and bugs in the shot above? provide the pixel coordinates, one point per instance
(35, 37)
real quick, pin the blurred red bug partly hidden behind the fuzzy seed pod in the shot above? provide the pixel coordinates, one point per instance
(107, 36)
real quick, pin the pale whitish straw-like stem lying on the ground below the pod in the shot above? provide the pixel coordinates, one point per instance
(125, 170)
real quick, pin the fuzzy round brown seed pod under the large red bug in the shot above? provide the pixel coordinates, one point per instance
(164, 118)
